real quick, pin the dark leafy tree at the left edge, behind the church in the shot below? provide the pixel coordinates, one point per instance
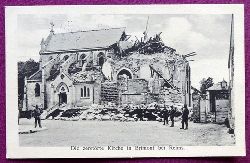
(25, 69)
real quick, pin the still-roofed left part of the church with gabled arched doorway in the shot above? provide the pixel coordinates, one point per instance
(64, 60)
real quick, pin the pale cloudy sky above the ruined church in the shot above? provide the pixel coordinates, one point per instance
(207, 35)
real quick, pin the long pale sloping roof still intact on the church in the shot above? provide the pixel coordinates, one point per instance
(93, 39)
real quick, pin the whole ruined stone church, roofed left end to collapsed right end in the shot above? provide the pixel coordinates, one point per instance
(103, 66)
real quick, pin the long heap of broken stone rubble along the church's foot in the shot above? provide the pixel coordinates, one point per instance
(112, 112)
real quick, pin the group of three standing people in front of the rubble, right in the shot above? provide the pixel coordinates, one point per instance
(172, 113)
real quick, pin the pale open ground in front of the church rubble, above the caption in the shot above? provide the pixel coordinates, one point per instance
(104, 133)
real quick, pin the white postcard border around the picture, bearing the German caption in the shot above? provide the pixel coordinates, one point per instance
(12, 138)
